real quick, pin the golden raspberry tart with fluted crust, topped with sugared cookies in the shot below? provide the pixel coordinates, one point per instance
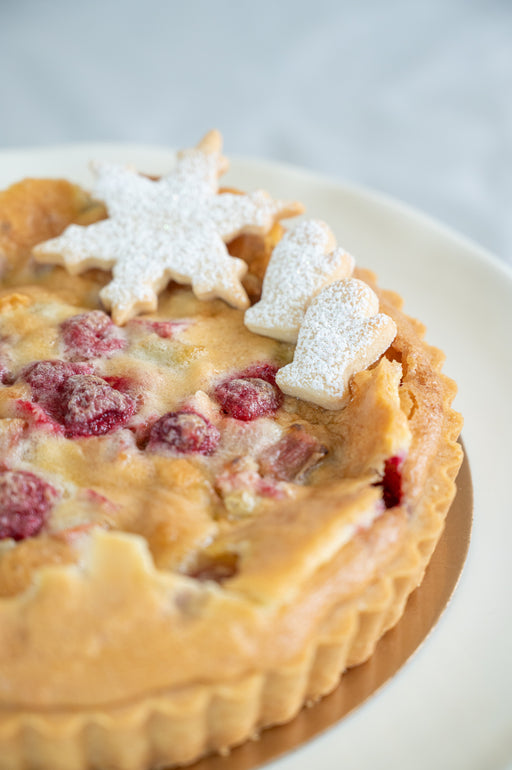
(188, 552)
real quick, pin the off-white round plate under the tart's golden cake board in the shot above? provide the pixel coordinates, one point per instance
(451, 705)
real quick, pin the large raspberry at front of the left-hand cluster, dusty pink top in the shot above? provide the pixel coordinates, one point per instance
(91, 407)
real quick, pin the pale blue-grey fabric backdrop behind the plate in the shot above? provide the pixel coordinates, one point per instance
(410, 98)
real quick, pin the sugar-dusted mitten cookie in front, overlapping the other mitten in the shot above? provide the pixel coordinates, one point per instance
(342, 333)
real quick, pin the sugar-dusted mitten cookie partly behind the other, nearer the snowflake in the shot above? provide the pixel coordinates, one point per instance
(302, 263)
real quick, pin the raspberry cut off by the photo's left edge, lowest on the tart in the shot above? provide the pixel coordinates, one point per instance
(25, 500)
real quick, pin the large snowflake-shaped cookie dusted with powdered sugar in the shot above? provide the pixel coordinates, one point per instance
(173, 228)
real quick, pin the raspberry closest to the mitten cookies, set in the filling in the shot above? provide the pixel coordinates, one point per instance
(246, 398)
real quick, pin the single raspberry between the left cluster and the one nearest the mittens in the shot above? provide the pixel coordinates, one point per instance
(185, 433)
